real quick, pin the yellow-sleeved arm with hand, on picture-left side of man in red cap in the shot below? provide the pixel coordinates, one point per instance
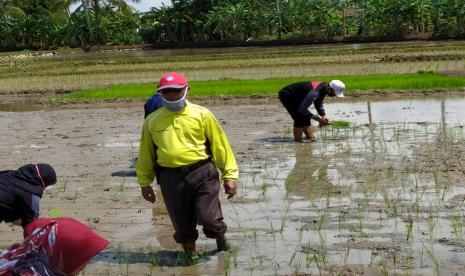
(146, 163)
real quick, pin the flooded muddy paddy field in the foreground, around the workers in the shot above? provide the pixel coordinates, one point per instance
(384, 196)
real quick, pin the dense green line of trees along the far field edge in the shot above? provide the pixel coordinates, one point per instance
(35, 24)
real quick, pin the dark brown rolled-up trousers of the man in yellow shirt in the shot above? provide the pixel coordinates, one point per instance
(191, 198)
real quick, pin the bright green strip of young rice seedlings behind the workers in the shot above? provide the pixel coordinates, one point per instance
(354, 84)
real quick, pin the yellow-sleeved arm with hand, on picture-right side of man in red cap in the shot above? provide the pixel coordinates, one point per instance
(222, 154)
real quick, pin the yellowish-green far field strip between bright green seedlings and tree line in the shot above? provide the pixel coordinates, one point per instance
(52, 71)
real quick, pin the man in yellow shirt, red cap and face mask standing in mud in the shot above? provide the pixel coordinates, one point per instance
(180, 145)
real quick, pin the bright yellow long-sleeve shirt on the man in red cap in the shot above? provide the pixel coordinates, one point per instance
(180, 139)
